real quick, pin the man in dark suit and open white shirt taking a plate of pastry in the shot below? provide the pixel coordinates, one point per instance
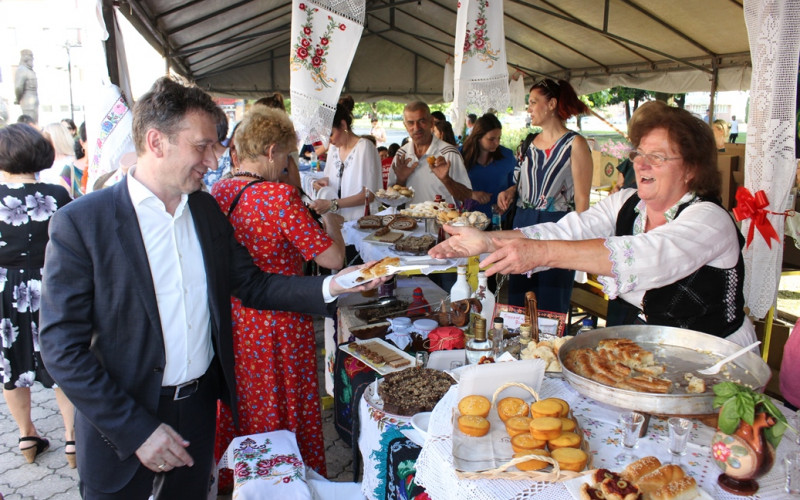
(135, 315)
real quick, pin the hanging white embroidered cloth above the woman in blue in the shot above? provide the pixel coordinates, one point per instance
(481, 74)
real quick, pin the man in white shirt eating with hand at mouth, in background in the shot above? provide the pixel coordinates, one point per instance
(447, 176)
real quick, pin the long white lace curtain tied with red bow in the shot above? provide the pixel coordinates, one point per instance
(773, 27)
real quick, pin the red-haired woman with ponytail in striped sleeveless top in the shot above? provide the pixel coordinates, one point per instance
(553, 179)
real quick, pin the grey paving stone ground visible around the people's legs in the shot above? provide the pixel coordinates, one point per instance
(50, 478)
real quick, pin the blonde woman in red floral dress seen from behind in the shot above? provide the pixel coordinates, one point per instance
(276, 371)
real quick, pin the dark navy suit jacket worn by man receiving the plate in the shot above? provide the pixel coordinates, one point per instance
(100, 333)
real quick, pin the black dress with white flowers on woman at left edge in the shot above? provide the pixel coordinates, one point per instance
(25, 212)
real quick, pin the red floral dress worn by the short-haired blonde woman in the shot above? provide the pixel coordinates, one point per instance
(276, 369)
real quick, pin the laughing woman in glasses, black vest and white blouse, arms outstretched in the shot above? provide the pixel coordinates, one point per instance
(667, 253)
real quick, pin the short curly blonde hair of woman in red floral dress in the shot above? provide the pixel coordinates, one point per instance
(261, 128)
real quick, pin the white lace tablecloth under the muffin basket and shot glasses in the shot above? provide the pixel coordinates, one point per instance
(436, 474)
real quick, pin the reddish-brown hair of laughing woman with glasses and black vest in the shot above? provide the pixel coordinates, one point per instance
(689, 135)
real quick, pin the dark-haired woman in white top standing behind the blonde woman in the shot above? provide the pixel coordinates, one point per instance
(353, 169)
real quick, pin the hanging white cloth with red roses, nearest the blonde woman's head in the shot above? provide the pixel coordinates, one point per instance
(325, 35)
